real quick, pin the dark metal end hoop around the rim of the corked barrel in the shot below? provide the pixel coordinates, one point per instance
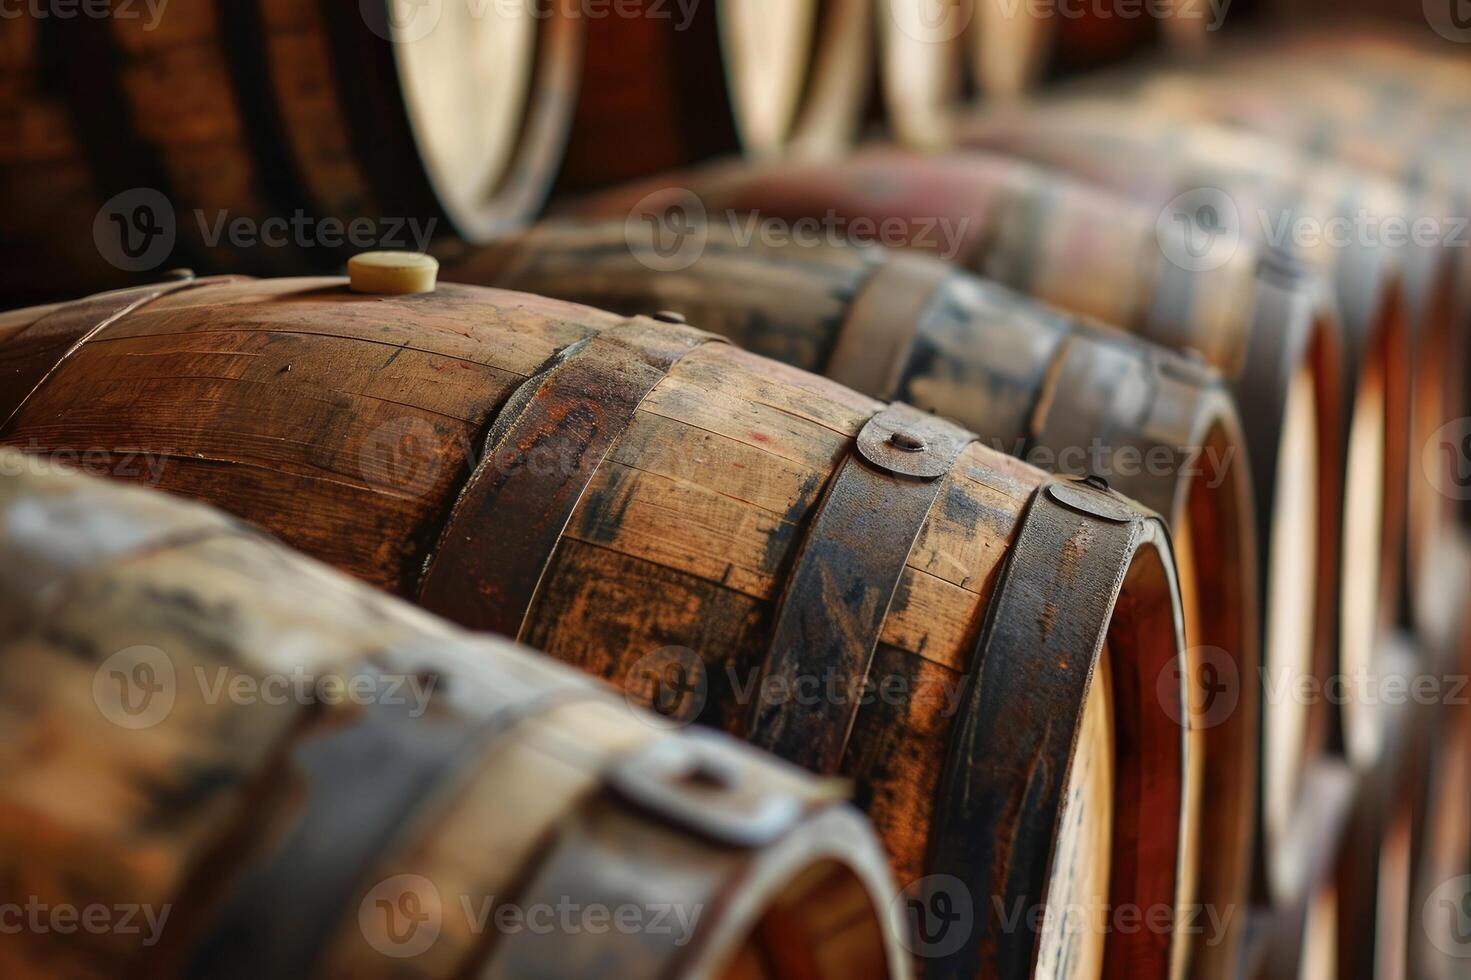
(1002, 788)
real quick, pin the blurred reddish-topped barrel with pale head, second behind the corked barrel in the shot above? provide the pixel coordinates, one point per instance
(1269, 329)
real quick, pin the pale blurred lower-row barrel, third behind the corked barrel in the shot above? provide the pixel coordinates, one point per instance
(1257, 189)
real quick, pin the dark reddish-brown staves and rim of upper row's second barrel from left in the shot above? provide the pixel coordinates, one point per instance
(655, 95)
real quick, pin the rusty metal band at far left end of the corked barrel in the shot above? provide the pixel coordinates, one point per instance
(40, 351)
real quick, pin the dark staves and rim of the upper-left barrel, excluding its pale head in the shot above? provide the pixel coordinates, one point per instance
(176, 121)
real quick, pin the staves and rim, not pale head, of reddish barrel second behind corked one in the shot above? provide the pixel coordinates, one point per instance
(1258, 326)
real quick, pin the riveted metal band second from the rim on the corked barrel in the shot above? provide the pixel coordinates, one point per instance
(845, 580)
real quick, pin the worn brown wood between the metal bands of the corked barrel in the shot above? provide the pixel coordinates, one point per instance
(348, 425)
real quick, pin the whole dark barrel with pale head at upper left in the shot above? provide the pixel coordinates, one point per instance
(273, 135)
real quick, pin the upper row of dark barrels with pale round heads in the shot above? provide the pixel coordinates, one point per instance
(154, 130)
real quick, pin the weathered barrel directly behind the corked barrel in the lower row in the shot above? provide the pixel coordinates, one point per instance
(1058, 392)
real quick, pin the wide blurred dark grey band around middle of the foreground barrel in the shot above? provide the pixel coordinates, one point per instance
(364, 785)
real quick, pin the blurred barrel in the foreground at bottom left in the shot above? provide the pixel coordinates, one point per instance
(374, 794)
